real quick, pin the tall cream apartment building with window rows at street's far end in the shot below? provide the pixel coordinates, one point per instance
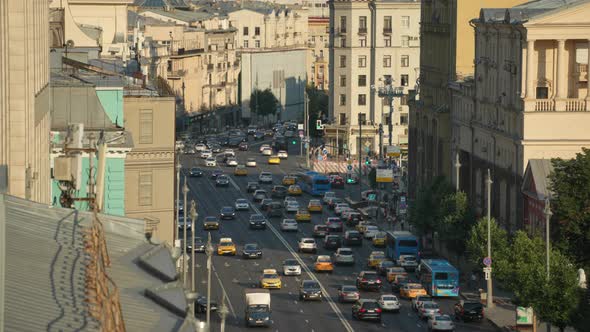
(372, 43)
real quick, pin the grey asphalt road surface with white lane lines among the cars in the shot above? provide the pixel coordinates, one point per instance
(232, 274)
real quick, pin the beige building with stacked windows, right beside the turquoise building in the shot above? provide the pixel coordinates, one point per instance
(149, 166)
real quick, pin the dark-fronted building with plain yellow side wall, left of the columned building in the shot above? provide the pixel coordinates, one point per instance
(446, 40)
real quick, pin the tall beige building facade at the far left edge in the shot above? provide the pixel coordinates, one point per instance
(24, 99)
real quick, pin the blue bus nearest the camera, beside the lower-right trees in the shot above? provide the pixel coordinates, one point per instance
(439, 277)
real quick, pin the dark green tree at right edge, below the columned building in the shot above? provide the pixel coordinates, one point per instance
(570, 183)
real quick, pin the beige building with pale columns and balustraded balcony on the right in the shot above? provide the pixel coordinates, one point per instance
(528, 98)
